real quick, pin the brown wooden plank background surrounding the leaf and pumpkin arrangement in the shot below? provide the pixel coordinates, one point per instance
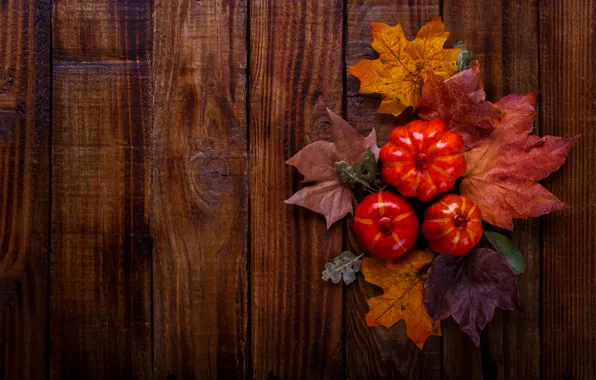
(143, 232)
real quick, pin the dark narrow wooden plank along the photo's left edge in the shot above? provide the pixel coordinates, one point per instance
(24, 187)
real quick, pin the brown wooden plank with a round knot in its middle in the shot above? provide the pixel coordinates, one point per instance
(200, 187)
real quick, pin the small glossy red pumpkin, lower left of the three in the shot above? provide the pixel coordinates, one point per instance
(385, 224)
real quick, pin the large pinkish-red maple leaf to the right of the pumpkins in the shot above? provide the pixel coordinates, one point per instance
(503, 170)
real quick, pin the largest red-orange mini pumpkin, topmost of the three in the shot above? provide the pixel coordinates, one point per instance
(423, 159)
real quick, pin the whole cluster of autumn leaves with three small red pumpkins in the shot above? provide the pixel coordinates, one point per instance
(462, 270)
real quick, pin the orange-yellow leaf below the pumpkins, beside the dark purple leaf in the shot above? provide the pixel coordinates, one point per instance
(402, 280)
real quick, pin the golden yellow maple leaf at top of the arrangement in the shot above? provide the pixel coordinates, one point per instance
(398, 73)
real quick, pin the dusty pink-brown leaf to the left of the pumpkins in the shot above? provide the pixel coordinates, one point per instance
(316, 162)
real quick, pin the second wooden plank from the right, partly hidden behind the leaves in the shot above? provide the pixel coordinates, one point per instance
(503, 35)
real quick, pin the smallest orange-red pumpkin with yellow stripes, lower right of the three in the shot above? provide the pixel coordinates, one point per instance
(453, 225)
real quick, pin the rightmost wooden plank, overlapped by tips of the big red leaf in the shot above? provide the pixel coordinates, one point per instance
(567, 67)
